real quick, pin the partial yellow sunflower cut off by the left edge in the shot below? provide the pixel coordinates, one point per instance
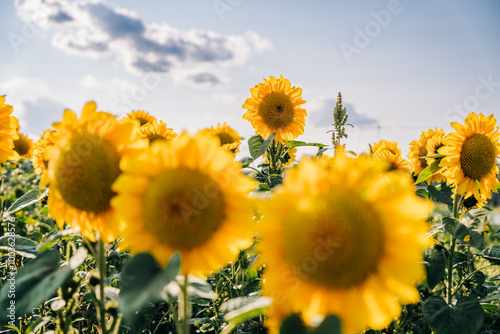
(8, 132)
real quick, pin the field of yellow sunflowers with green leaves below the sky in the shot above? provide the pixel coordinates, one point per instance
(120, 225)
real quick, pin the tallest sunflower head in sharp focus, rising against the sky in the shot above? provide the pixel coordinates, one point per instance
(275, 107)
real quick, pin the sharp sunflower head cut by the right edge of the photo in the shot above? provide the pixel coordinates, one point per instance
(470, 155)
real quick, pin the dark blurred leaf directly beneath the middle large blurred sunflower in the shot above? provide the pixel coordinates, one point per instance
(143, 280)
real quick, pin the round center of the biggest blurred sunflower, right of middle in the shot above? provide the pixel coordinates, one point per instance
(337, 244)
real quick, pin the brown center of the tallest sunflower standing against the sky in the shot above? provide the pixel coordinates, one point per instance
(276, 110)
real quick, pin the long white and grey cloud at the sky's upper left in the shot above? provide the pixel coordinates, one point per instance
(92, 28)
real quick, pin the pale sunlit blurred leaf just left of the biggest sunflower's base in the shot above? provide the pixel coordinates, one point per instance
(240, 309)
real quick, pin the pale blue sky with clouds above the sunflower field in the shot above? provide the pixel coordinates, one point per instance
(402, 66)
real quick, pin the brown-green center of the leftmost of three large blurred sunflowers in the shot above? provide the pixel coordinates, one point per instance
(85, 171)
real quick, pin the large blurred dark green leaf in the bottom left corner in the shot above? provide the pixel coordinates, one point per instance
(37, 281)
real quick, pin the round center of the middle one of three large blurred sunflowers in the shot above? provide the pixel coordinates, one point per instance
(183, 208)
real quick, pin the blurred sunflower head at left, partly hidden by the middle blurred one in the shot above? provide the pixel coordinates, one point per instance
(83, 163)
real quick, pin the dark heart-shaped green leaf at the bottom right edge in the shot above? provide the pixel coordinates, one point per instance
(466, 317)
